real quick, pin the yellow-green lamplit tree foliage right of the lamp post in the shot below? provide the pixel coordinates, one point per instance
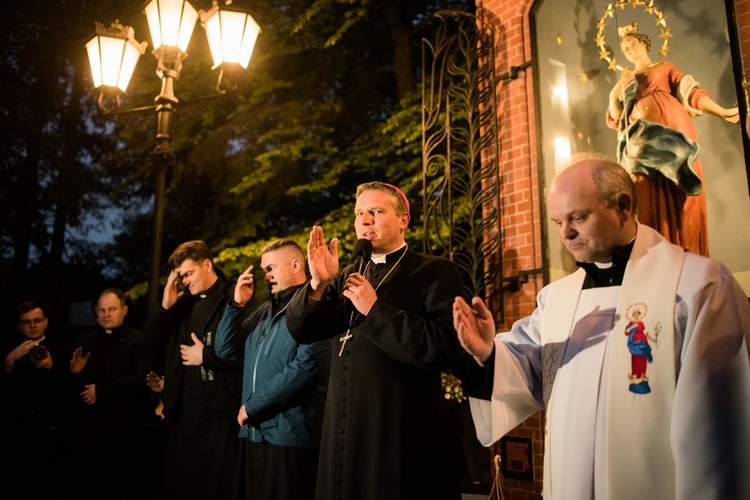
(322, 107)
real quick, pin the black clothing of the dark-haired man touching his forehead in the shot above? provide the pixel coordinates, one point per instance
(200, 402)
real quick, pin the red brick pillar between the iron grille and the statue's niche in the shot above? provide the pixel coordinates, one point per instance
(519, 197)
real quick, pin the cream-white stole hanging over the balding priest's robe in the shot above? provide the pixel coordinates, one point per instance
(638, 456)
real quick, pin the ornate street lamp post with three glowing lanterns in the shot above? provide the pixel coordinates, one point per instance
(113, 54)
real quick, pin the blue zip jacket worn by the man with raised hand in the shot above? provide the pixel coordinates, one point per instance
(284, 383)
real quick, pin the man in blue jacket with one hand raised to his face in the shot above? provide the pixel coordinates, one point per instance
(283, 388)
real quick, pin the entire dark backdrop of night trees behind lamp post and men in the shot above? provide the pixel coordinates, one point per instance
(317, 112)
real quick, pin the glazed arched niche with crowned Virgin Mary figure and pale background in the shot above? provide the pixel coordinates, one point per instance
(652, 85)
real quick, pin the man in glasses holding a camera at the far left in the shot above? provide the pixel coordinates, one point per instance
(35, 431)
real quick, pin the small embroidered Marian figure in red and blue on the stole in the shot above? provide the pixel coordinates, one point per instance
(638, 345)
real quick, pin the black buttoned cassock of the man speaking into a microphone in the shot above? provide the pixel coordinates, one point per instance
(386, 431)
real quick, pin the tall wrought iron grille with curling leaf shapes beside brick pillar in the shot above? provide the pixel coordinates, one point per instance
(460, 148)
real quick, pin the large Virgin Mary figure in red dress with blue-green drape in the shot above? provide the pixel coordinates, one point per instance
(651, 107)
